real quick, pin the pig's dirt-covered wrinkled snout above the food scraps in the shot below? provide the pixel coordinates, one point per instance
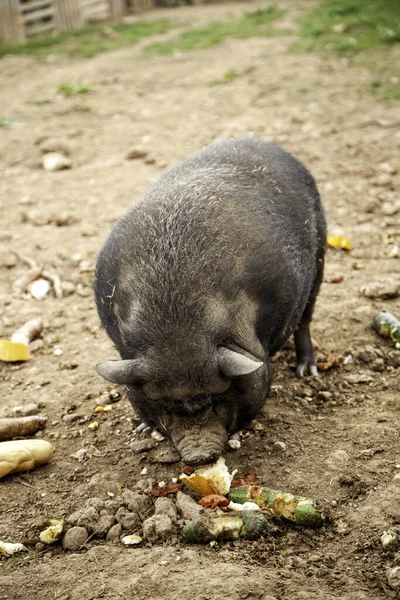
(200, 439)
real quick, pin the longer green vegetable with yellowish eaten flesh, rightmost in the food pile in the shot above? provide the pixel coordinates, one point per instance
(280, 504)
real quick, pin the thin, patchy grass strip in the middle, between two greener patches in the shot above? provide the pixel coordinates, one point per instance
(253, 24)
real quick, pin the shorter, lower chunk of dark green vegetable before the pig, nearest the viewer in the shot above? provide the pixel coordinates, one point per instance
(227, 526)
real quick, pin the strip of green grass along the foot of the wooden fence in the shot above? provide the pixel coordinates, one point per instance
(88, 41)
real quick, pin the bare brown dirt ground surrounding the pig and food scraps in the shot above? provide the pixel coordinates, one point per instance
(341, 431)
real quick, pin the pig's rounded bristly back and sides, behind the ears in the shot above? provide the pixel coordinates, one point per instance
(237, 220)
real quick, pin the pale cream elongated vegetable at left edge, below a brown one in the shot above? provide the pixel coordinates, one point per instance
(23, 455)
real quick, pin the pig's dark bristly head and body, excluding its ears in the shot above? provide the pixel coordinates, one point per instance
(225, 249)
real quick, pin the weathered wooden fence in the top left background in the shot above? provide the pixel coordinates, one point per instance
(21, 19)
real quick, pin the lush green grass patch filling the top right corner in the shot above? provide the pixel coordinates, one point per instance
(349, 26)
